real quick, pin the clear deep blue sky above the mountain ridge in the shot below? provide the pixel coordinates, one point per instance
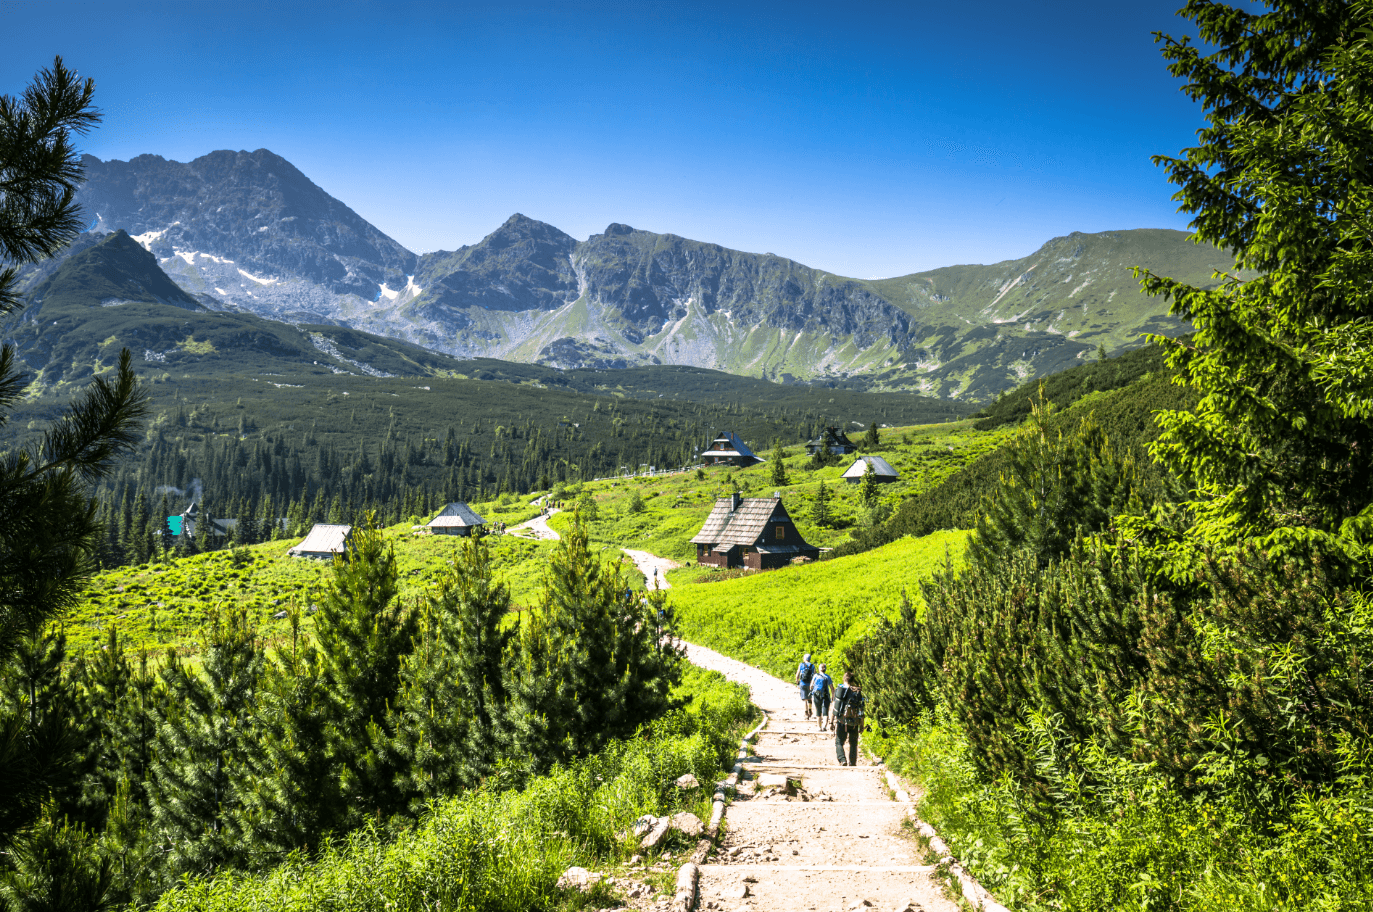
(868, 139)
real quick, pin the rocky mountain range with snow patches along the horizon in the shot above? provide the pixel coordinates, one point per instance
(249, 233)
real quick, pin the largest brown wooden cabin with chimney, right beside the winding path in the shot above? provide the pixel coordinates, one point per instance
(750, 532)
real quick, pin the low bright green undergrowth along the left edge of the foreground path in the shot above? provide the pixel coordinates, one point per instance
(505, 851)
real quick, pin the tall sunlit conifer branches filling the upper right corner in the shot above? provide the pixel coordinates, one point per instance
(1280, 362)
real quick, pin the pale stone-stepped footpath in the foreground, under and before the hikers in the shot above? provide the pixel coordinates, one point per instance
(837, 847)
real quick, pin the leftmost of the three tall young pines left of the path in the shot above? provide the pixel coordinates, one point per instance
(365, 635)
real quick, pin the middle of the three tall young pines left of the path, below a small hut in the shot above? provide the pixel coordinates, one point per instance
(455, 701)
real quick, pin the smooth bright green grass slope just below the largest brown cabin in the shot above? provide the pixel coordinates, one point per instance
(772, 619)
